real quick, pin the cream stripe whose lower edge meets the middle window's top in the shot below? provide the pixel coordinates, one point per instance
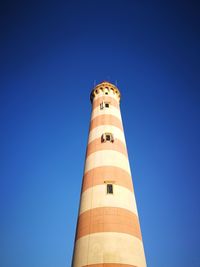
(99, 130)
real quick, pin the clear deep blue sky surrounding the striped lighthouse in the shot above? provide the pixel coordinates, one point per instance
(50, 54)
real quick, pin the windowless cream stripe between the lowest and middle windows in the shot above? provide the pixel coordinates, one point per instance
(107, 158)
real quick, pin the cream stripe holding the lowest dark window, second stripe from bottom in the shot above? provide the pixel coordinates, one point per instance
(97, 197)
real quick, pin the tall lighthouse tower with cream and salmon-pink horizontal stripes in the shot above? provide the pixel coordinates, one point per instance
(108, 230)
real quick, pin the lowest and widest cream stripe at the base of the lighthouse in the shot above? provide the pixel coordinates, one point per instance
(109, 247)
